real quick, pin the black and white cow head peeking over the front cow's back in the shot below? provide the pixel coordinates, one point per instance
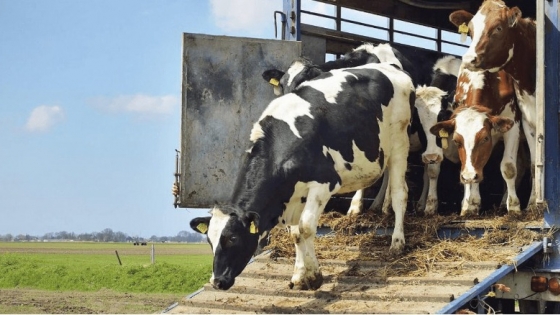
(286, 82)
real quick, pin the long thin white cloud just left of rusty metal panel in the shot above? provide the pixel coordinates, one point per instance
(138, 104)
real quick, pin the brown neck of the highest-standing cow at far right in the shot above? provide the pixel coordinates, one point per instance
(522, 66)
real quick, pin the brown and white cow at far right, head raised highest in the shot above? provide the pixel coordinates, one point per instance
(502, 39)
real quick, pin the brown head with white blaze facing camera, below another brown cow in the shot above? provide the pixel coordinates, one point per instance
(471, 130)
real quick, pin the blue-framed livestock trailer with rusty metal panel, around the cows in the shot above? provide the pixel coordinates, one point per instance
(224, 94)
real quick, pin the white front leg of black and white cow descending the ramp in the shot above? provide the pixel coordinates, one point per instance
(307, 275)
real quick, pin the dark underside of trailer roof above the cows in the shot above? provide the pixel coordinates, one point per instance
(434, 13)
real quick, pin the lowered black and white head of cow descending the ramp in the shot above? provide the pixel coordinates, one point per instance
(233, 236)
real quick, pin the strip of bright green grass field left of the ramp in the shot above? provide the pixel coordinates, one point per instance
(84, 266)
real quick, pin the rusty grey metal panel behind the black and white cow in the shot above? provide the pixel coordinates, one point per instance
(223, 94)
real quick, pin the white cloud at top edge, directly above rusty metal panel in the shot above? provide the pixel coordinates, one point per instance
(245, 15)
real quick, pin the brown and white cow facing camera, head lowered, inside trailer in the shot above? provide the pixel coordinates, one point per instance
(487, 108)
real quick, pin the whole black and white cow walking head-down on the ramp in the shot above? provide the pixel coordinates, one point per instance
(333, 134)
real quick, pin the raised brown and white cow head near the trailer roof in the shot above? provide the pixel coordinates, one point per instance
(493, 30)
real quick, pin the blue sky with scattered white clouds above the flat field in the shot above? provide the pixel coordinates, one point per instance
(90, 107)
